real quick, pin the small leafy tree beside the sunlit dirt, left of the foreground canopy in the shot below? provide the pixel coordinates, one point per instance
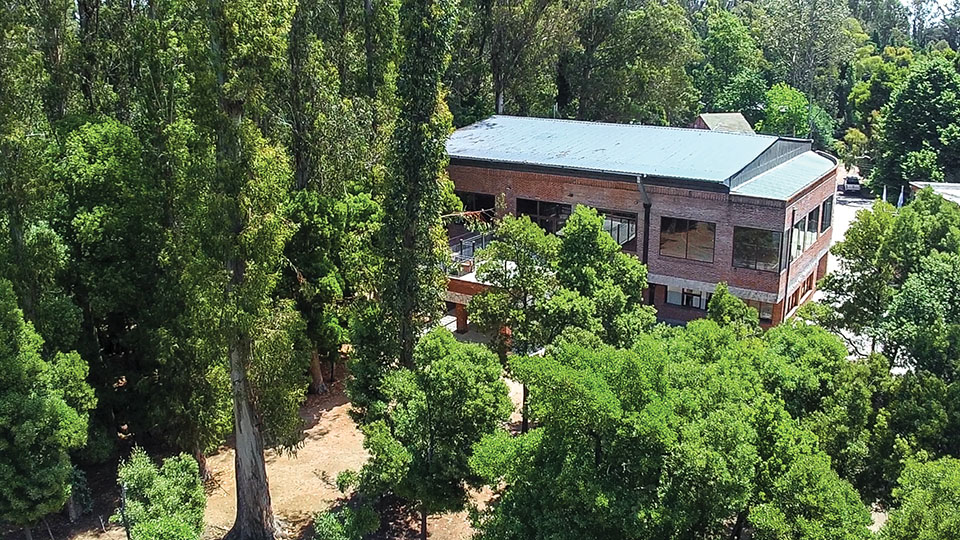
(451, 398)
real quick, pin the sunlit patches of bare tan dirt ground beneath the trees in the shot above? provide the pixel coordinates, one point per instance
(301, 484)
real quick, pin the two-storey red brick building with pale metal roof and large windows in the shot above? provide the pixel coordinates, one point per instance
(698, 207)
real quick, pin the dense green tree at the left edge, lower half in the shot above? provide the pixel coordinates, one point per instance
(43, 417)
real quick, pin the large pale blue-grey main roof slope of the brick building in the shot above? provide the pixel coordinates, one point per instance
(628, 149)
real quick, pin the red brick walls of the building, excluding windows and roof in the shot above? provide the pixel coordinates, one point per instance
(721, 208)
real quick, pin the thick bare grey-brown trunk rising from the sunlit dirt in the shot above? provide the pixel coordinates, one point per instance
(254, 512)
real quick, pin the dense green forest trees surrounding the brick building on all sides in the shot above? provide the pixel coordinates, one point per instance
(201, 202)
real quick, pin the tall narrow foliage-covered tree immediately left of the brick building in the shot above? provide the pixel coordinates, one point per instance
(412, 237)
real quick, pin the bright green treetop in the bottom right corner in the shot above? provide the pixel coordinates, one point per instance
(928, 496)
